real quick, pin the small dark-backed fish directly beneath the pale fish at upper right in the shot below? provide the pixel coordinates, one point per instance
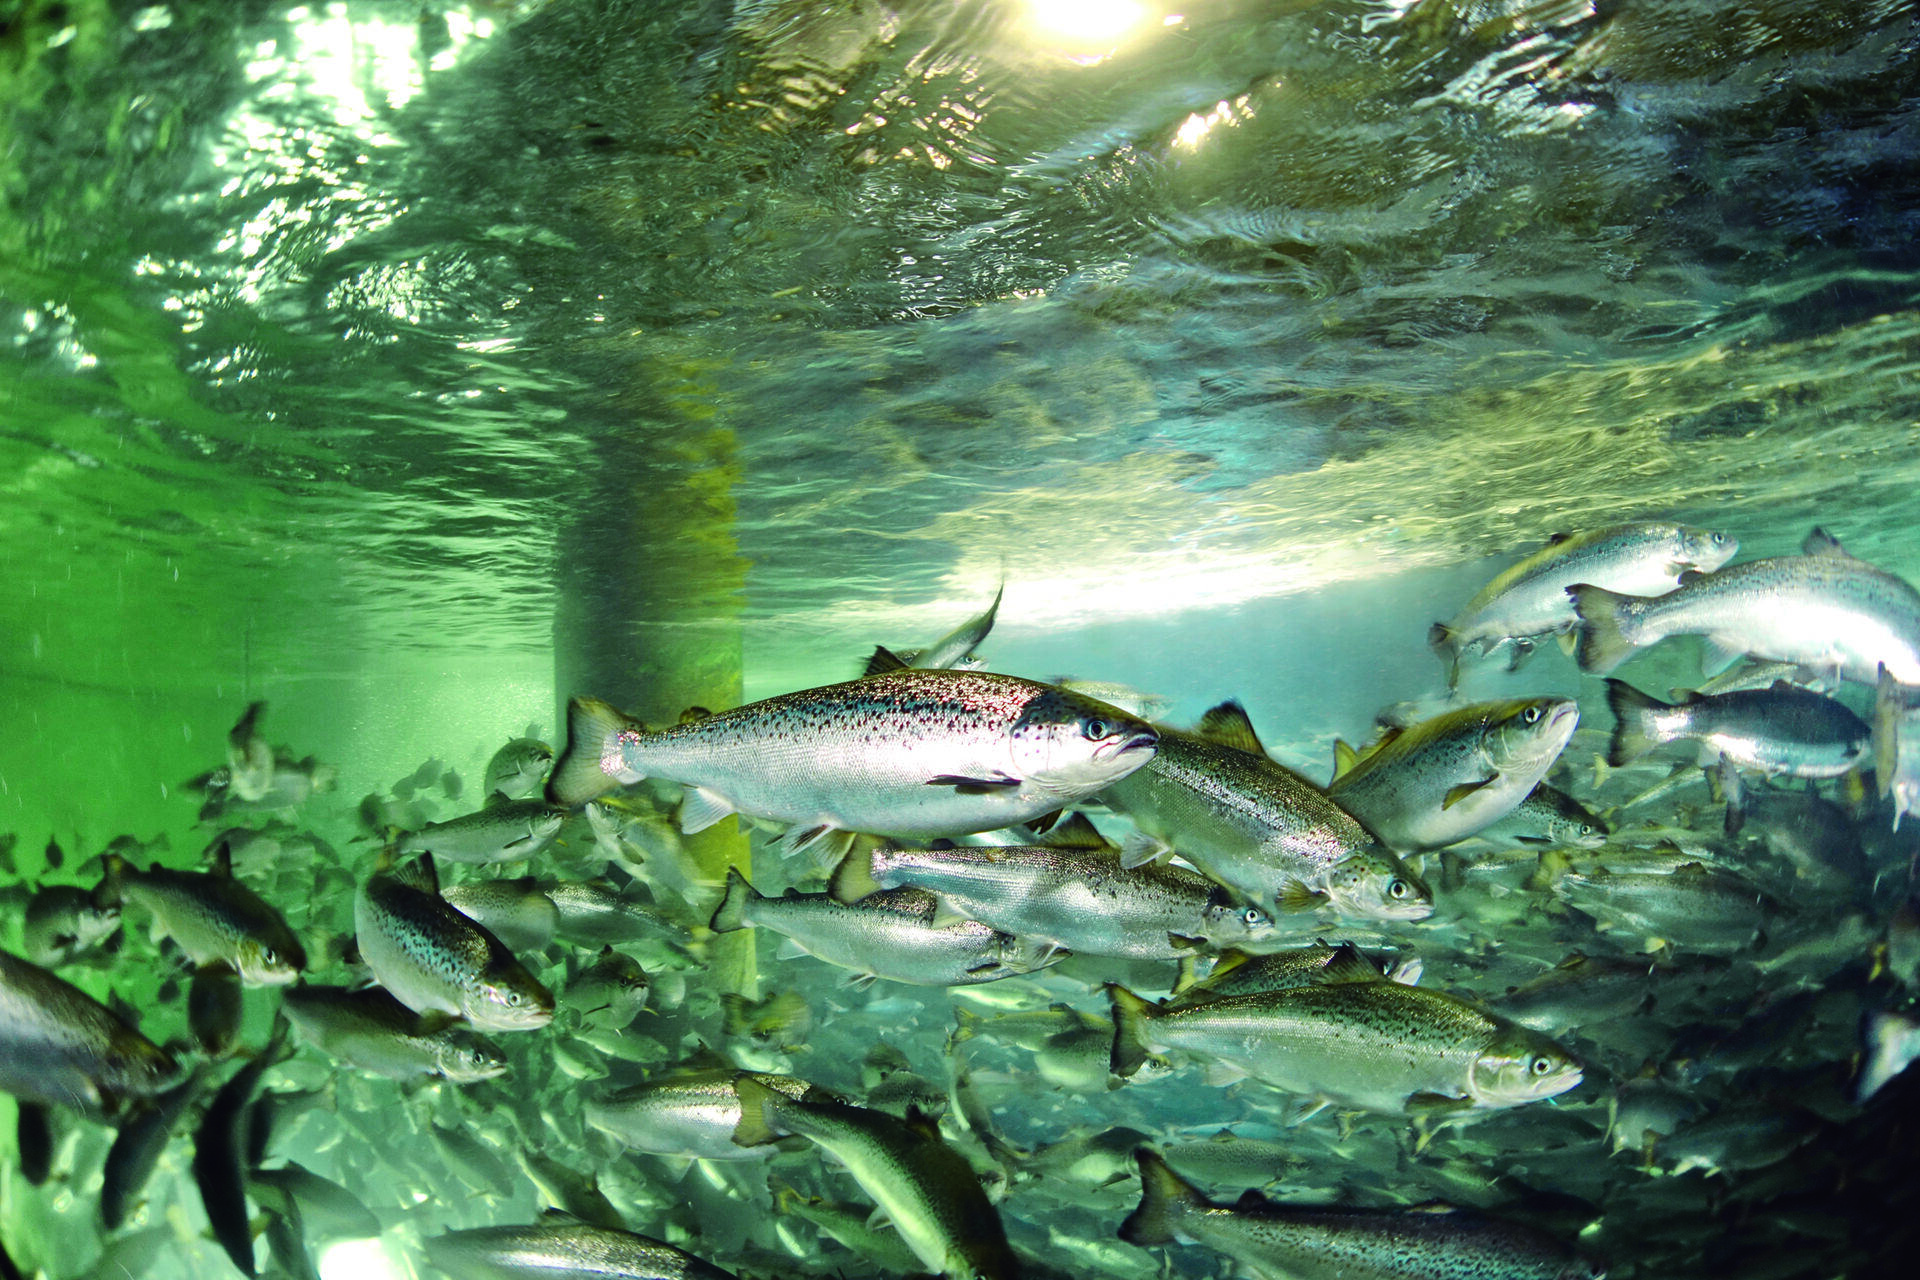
(1781, 730)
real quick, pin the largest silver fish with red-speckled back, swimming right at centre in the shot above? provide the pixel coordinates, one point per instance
(909, 753)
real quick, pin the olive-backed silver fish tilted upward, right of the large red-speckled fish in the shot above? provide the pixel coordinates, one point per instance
(1454, 774)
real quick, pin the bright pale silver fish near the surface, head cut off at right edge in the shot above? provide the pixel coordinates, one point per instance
(1823, 609)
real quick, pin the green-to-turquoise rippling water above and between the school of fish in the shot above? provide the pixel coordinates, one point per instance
(416, 367)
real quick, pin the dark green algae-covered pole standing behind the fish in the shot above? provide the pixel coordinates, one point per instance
(650, 605)
